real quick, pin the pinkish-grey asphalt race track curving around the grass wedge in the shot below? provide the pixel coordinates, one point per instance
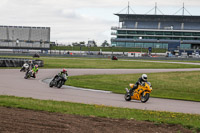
(12, 82)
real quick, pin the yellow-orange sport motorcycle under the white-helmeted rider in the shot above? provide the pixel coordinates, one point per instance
(142, 93)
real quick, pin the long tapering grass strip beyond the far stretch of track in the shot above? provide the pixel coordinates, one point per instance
(50, 62)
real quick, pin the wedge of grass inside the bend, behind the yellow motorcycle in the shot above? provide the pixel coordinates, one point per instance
(173, 85)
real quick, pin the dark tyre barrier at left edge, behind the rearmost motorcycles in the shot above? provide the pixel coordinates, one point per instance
(15, 62)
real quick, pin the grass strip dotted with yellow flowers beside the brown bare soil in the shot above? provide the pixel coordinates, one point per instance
(187, 120)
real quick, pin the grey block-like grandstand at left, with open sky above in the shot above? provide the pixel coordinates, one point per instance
(23, 37)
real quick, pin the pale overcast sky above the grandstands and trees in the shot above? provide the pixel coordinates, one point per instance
(82, 20)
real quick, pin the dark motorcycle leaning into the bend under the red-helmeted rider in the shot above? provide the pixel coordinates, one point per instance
(57, 82)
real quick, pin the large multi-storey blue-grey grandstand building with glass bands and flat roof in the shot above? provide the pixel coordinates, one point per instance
(157, 31)
